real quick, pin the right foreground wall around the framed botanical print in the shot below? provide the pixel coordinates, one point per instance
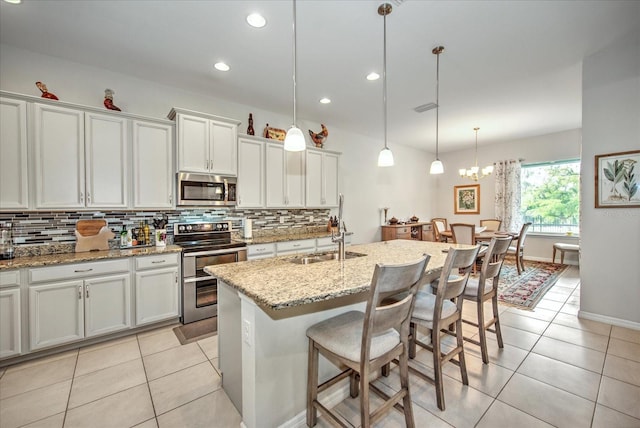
(610, 283)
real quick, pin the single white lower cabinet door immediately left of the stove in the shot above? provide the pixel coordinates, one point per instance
(157, 295)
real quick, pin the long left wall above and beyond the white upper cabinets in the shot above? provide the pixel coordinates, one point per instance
(405, 188)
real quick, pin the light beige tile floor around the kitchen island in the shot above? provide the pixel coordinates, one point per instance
(555, 370)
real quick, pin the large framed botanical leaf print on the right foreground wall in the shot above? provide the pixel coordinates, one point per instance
(617, 180)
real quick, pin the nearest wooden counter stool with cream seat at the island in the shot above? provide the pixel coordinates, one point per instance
(361, 343)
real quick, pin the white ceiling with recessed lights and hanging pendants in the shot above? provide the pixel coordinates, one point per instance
(512, 68)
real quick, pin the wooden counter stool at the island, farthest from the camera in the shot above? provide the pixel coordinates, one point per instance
(485, 288)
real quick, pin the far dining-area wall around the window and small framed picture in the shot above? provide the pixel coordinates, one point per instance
(543, 148)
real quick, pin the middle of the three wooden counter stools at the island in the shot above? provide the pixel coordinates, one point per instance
(437, 312)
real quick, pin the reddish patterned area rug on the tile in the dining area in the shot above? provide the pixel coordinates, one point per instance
(525, 291)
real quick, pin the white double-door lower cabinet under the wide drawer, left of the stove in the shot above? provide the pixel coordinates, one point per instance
(66, 311)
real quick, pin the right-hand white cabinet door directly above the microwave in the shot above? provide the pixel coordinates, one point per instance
(224, 148)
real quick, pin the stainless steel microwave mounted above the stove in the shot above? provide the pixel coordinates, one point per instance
(206, 190)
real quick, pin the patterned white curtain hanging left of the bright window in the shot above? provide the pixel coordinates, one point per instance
(507, 176)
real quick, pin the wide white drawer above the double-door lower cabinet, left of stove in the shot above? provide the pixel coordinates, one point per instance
(80, 270)
